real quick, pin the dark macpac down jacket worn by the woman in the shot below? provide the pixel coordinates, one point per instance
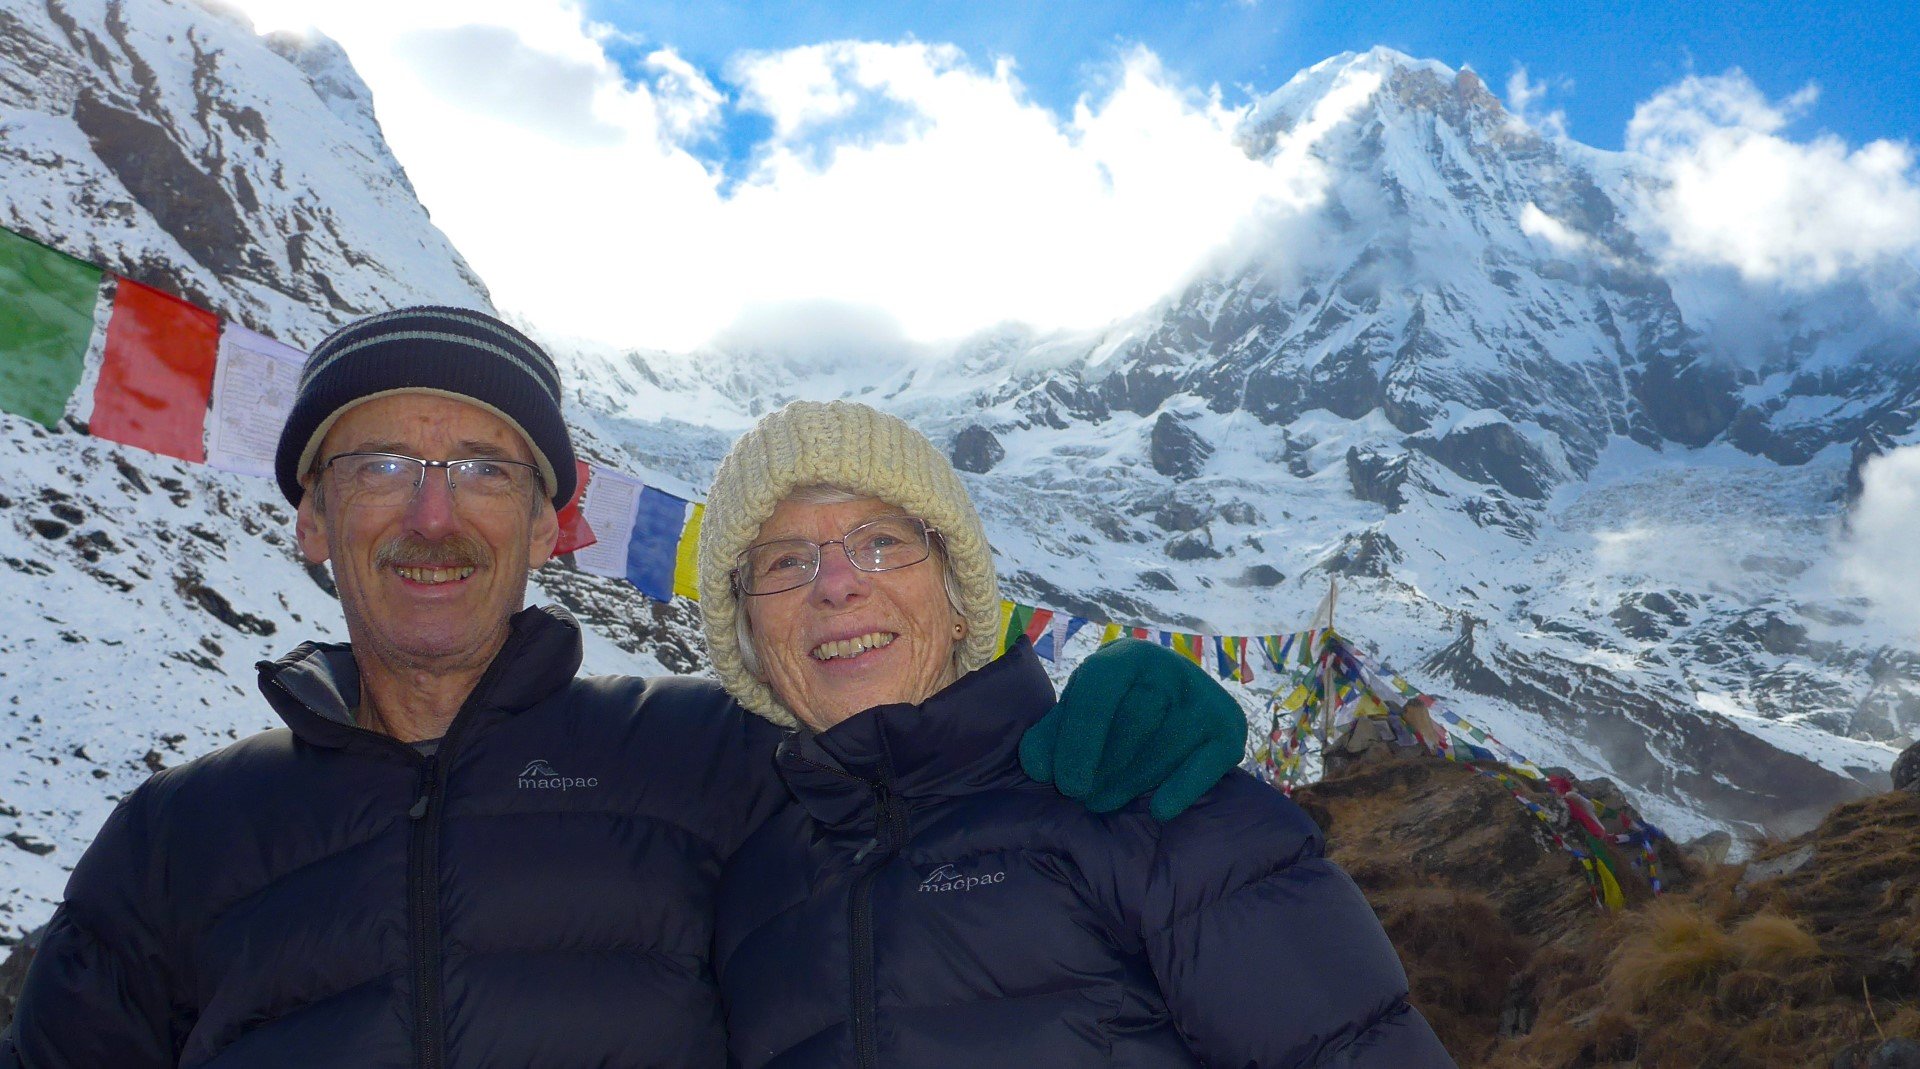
(926, 905)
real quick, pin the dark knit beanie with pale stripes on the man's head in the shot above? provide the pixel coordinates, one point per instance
(448, 352)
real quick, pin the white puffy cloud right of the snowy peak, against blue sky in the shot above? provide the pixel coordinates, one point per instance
(1737, 193)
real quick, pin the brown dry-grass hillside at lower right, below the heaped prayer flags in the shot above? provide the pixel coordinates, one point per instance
(1499, 932)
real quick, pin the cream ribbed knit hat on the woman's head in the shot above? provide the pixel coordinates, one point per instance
(853, 448)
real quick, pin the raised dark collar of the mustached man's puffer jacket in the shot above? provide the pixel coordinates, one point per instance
(318, 684)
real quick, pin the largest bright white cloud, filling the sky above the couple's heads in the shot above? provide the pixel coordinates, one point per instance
(901, 178)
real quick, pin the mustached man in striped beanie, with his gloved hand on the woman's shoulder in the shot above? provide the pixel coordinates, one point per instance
(458, 853)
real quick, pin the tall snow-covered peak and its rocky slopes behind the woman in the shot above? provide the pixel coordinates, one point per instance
(1464, 387)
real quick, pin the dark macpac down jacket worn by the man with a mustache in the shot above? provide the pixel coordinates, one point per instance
(537, 895)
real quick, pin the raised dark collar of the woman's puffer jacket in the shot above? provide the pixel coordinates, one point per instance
(959, 742)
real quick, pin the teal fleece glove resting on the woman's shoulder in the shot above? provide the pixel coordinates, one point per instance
(1138, 719)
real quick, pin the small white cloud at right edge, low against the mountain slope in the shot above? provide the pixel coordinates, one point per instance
(1881, 556)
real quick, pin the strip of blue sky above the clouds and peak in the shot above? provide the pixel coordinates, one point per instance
(1596, 60)
